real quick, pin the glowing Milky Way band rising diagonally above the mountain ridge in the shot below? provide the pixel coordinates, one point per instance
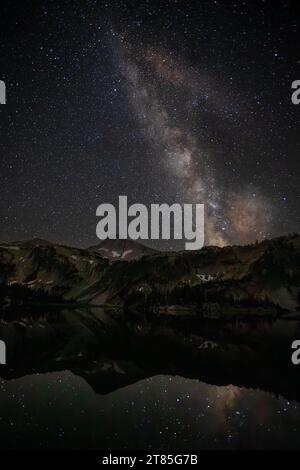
(154, 78)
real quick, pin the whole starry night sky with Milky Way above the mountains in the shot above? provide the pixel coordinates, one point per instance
(161, 101)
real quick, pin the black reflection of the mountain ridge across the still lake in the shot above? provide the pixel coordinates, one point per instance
(111, 350)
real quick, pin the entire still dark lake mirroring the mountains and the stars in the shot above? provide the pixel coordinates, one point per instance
(90, 380)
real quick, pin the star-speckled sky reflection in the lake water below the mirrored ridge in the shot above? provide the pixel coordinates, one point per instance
(60, 410)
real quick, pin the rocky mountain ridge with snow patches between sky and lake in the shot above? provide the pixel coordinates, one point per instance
(261, 279)
